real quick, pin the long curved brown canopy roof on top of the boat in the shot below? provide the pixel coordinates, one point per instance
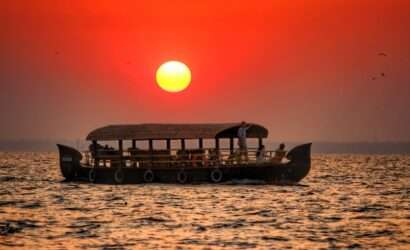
(173, 131)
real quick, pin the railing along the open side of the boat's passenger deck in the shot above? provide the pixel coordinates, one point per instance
(176, 158)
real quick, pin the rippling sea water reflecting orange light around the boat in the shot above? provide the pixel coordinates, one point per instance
(347, 201)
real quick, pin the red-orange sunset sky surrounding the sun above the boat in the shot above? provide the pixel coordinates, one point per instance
(307, 70)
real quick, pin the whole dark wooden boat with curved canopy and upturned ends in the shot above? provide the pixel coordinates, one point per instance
(182, 164)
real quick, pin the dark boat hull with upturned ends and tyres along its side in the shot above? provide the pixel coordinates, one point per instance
(292, 172)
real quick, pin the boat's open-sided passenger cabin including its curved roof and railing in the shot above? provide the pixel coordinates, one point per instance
(170, 156)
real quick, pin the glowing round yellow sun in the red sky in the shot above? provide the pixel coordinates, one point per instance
(173, 76)
